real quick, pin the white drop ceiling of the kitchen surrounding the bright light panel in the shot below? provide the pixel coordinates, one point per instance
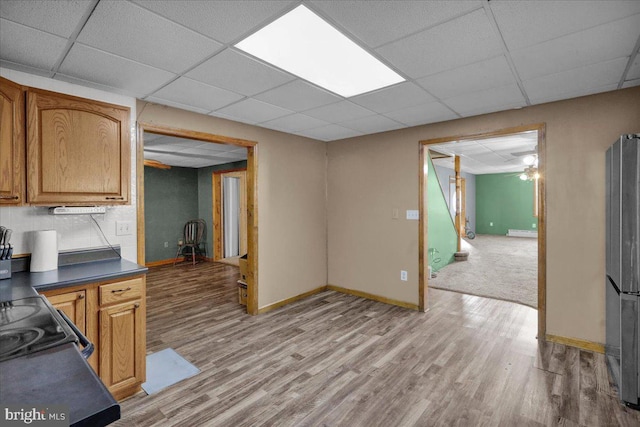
(459, 58)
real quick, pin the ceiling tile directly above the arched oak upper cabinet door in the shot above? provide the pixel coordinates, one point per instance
(104, 68)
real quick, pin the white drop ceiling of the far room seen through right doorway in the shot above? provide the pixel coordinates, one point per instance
(489, 155)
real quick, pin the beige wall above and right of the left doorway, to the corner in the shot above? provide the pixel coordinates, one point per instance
(292, 237)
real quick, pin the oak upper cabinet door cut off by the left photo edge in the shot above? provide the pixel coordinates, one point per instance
(12, 131)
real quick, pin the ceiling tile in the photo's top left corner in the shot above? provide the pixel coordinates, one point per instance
(56, 17)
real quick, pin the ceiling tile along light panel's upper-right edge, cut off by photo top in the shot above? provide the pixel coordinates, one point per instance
(379, 22)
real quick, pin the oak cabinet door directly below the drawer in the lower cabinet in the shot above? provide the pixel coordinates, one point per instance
(122, 344)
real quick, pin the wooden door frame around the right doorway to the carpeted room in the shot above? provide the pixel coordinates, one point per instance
(423, 262)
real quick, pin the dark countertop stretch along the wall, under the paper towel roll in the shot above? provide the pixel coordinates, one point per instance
(25, 284)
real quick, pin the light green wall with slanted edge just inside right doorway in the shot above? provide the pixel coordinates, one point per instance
(442, 237)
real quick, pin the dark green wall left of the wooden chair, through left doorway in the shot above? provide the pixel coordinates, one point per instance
(170, 200)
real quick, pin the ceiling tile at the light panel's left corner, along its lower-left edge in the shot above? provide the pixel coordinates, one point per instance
(237, 72)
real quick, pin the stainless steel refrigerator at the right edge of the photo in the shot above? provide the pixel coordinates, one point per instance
(623, 266)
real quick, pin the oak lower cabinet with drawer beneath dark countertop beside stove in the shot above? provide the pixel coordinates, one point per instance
(113, 317)
